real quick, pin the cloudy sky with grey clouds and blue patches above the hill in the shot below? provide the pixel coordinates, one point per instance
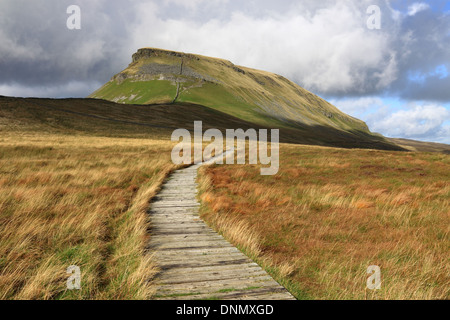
(396, 78)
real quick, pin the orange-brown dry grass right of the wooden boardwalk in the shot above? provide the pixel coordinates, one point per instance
(330, 213)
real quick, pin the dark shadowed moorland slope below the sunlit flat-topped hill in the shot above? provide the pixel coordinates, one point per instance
(105, 118)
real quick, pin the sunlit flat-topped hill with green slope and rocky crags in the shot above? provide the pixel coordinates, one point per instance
(158, 76)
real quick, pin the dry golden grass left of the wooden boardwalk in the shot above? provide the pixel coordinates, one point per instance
(77, 200)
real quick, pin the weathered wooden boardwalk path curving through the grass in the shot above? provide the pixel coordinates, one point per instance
(195, 261)
